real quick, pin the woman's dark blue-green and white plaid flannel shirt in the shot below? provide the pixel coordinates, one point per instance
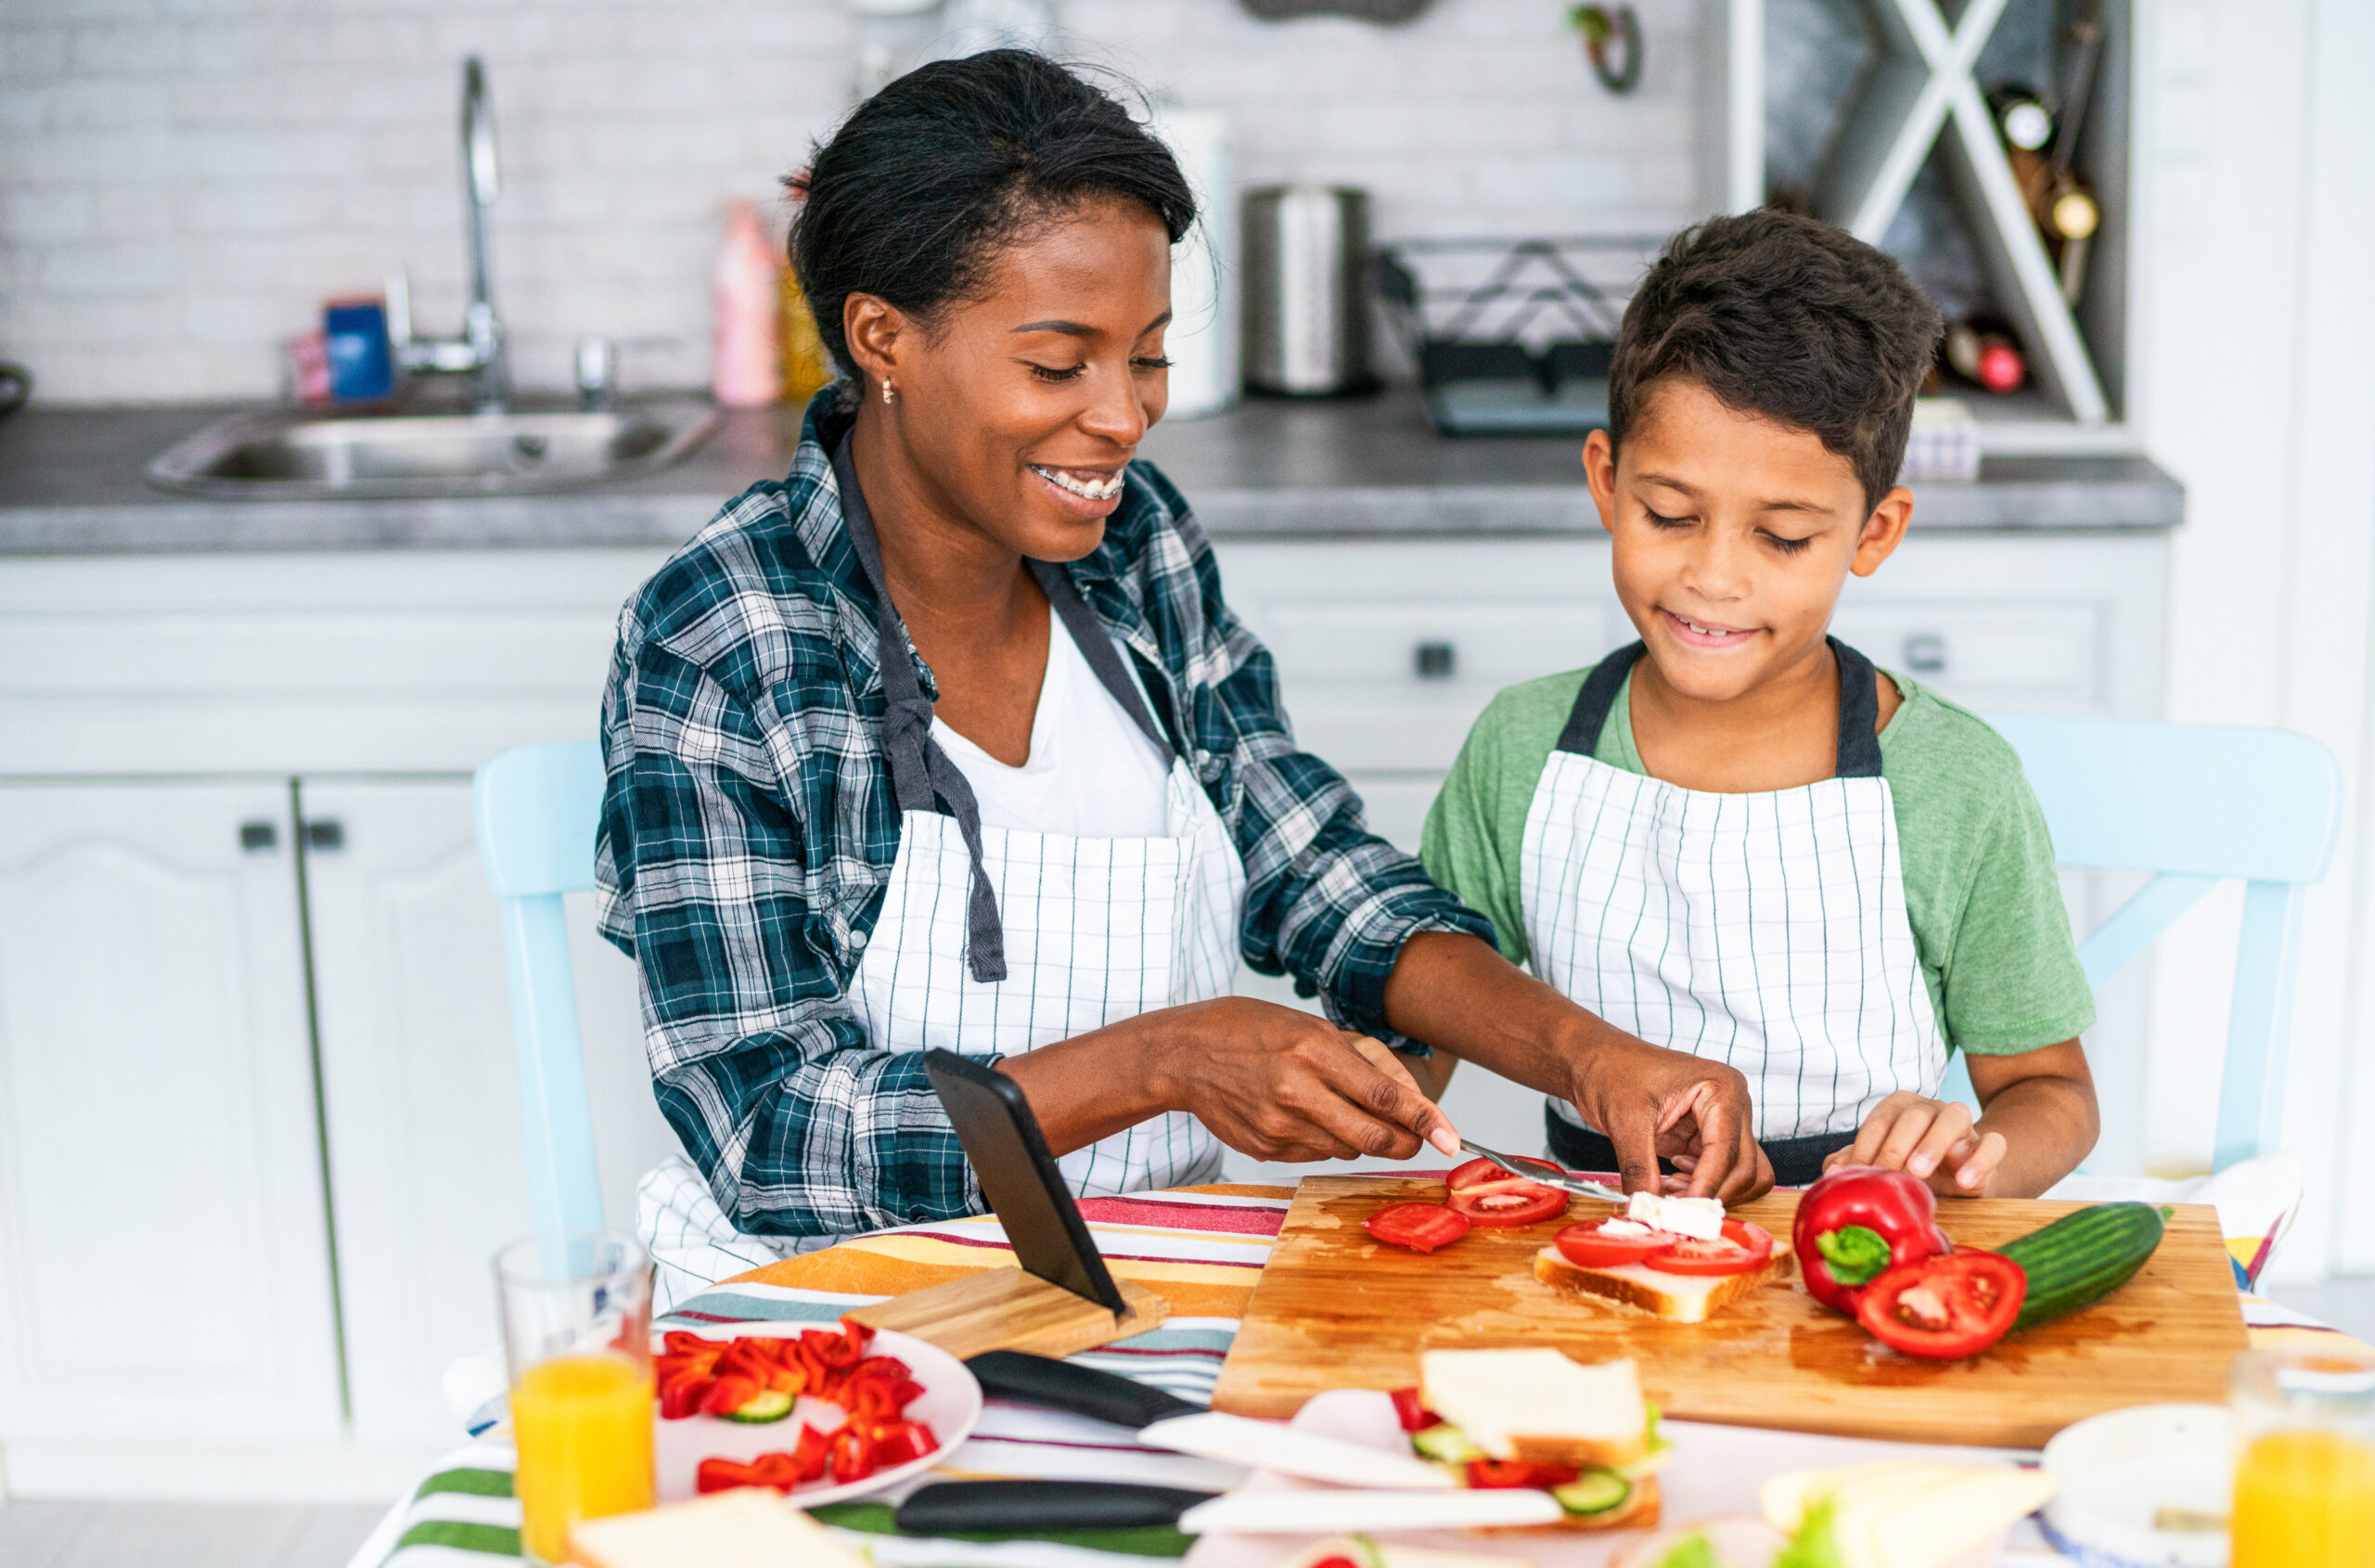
(749, 830)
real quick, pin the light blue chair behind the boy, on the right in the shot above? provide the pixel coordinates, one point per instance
(2198, 804)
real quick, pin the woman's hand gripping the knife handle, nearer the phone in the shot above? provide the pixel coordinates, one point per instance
(1281, 1085)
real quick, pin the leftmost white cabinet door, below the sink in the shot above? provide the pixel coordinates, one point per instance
(163, 1248)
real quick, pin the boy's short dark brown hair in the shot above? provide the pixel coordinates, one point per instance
(1792, 320)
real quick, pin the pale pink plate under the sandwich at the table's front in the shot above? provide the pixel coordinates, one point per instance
(1716, 1469)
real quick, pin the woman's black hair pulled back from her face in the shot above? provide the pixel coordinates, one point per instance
(923, 189)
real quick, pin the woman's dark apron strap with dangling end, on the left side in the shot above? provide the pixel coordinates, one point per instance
(920, 771)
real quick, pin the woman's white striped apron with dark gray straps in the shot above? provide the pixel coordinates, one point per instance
(996, 942)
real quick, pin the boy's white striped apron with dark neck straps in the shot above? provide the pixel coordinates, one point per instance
(1761, 930)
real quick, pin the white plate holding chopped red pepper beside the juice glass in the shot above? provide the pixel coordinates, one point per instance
(951, 1405)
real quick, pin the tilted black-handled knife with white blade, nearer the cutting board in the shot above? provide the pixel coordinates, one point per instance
(1167, 1422)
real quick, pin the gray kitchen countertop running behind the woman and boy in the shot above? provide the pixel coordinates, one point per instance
(72, 483)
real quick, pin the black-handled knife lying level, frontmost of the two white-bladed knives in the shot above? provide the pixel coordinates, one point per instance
(1025, 1507)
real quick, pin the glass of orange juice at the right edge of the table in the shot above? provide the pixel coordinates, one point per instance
(2305, 1460)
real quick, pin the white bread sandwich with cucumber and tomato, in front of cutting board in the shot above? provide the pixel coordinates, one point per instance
(1538, 1420)
